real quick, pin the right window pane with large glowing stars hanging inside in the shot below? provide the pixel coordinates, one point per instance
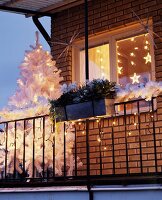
(134, 60)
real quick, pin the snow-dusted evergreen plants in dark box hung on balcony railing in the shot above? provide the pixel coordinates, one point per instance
(94, 98)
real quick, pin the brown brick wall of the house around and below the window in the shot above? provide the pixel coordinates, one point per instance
(108, 15)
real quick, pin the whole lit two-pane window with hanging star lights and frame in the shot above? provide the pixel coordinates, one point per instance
(119, 56)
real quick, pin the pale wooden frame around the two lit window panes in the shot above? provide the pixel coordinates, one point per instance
(109, 37)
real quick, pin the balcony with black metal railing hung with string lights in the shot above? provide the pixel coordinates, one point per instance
(125, 148)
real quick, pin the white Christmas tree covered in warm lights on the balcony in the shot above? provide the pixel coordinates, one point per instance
(39, 81)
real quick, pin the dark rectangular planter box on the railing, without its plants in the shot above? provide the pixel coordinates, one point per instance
(87, 109)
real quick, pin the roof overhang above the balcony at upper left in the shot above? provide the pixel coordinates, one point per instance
(37, 7)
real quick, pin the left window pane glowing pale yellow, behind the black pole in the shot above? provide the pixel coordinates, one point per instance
(99, 66)
